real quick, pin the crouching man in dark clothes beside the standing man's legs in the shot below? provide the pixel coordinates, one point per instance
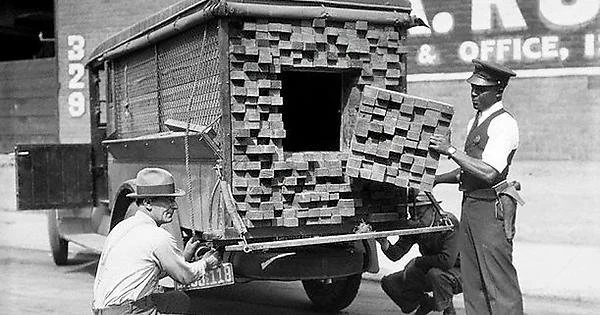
(436, 271)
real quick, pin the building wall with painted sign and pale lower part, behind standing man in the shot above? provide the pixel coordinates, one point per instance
(554, 46)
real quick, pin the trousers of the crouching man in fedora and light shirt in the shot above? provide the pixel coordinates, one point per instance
(173, 302)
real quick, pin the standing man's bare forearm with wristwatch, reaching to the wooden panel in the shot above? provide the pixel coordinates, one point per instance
(468, 164)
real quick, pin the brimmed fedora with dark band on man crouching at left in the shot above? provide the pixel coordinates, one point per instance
(155, 182)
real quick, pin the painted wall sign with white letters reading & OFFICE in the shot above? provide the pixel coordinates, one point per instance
(523, 34)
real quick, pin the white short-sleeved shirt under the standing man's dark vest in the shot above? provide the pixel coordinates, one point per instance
(503, 134)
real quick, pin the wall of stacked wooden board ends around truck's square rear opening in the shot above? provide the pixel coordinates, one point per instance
(272, 189)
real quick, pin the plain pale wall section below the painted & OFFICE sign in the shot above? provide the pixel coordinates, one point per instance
(559, 117)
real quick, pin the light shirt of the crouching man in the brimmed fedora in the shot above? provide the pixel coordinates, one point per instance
(136, 254)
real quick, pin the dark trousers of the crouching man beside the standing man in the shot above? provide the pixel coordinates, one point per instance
(408, 288)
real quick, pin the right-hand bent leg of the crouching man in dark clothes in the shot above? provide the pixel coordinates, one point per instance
(444, 284)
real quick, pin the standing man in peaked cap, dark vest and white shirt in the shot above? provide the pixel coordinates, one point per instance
(490, 281)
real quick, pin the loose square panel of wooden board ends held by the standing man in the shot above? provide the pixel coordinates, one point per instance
(392, 136)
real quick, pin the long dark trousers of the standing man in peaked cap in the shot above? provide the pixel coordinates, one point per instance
(489, 278)
